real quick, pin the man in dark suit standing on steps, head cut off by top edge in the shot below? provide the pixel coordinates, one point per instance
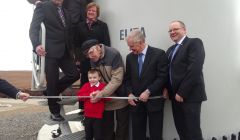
(58, 50)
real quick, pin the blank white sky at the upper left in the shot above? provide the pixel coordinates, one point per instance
(15, 48)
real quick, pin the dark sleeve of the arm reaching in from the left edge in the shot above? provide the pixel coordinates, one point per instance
(8, 89)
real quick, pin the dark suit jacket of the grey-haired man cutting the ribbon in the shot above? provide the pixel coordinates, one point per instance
(153, 77)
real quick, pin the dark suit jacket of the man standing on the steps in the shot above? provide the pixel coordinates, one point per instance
(58, 37)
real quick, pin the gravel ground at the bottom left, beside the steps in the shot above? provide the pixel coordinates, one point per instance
(21, 120)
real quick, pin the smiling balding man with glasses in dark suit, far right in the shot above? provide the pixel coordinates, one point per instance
(186, 84)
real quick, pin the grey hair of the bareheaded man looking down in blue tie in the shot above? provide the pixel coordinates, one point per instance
(136, 36)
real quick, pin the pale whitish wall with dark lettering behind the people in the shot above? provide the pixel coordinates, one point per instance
(217, 23)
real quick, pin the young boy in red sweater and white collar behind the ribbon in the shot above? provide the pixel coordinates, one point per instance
(93, 112)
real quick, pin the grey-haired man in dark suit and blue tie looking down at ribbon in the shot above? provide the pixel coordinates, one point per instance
(145, 82)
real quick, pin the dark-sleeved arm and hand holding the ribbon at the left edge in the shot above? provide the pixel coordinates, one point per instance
(11, 91)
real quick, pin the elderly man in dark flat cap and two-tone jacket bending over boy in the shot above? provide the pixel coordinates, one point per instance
(109, 61)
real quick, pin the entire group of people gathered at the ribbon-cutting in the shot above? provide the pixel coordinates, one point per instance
(83, 46)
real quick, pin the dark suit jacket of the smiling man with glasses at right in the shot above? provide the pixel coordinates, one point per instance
(186, 70)
